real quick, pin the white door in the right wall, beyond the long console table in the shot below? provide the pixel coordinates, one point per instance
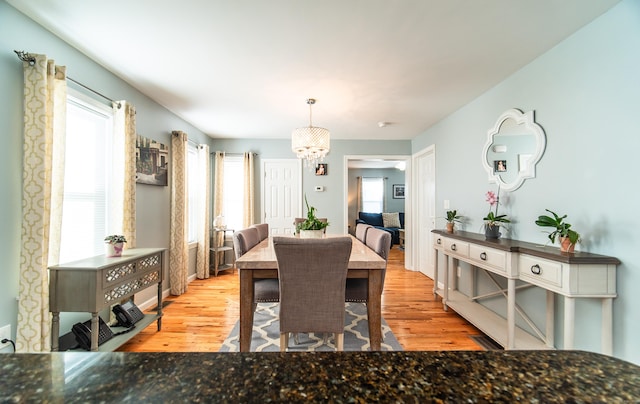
(424, 211)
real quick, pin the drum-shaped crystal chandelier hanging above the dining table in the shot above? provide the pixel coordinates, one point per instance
(310, 143)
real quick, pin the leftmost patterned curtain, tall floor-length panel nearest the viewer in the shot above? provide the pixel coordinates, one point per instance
(45, 101)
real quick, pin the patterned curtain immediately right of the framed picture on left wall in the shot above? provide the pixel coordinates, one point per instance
(178, 249)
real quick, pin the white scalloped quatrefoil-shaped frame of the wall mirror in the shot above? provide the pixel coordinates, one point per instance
(526, 119)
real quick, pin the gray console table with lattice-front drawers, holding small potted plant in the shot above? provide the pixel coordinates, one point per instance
(92, 284)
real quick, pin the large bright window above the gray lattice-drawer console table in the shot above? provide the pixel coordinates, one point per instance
(88, 154)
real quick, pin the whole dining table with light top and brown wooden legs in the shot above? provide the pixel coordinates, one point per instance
(260, 263)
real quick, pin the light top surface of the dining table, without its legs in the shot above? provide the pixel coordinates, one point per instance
(263, 256)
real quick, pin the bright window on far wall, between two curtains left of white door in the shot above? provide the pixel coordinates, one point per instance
(233, 192)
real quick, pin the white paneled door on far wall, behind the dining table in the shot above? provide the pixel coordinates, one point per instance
(281, 194)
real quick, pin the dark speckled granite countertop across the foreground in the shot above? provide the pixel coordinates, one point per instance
(448, 376)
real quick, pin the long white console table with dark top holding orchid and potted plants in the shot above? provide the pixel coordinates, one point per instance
(572, 275)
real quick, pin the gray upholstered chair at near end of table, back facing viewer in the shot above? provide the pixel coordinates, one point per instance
(312, 275)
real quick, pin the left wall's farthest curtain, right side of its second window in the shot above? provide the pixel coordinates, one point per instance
(202, 256)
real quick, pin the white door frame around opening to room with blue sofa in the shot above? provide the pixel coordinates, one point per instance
(408, 202)
